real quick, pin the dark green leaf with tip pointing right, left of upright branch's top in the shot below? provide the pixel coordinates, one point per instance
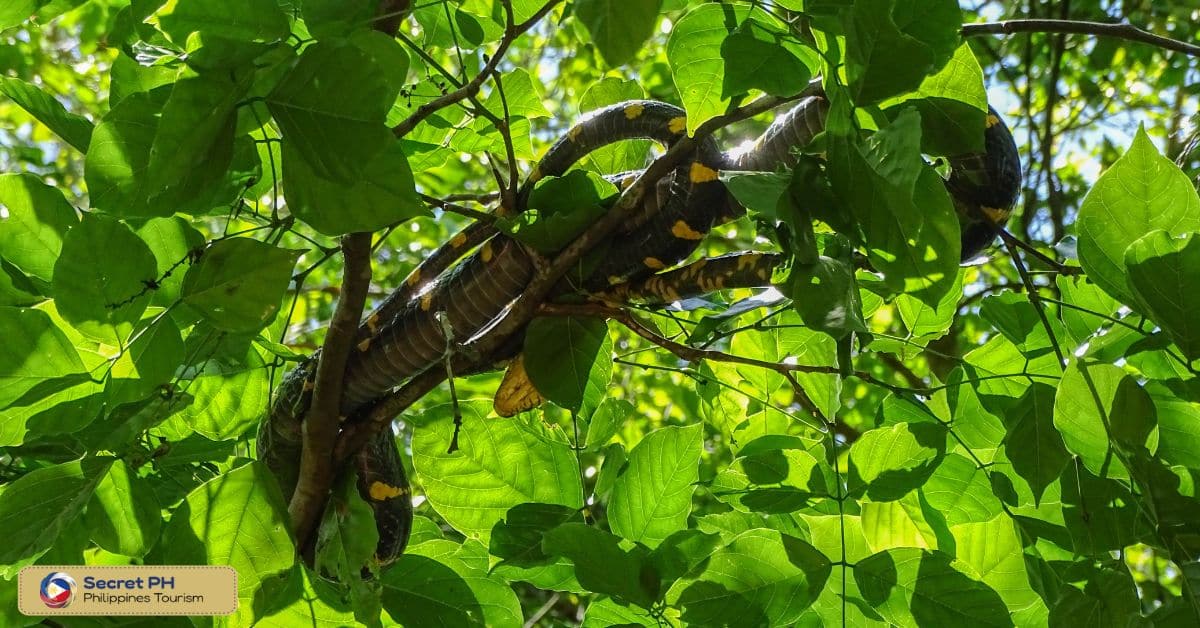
(239, 284)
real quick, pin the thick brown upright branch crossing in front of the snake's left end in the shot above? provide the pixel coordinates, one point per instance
(321, 426)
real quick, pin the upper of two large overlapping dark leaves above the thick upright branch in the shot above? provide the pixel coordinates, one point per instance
(332, 106)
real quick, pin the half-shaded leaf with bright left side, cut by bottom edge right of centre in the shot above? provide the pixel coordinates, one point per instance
(915, 588)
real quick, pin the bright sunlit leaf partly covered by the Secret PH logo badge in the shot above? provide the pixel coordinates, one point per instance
(238, 519)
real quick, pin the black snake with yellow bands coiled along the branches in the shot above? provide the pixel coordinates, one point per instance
(469, 283)
